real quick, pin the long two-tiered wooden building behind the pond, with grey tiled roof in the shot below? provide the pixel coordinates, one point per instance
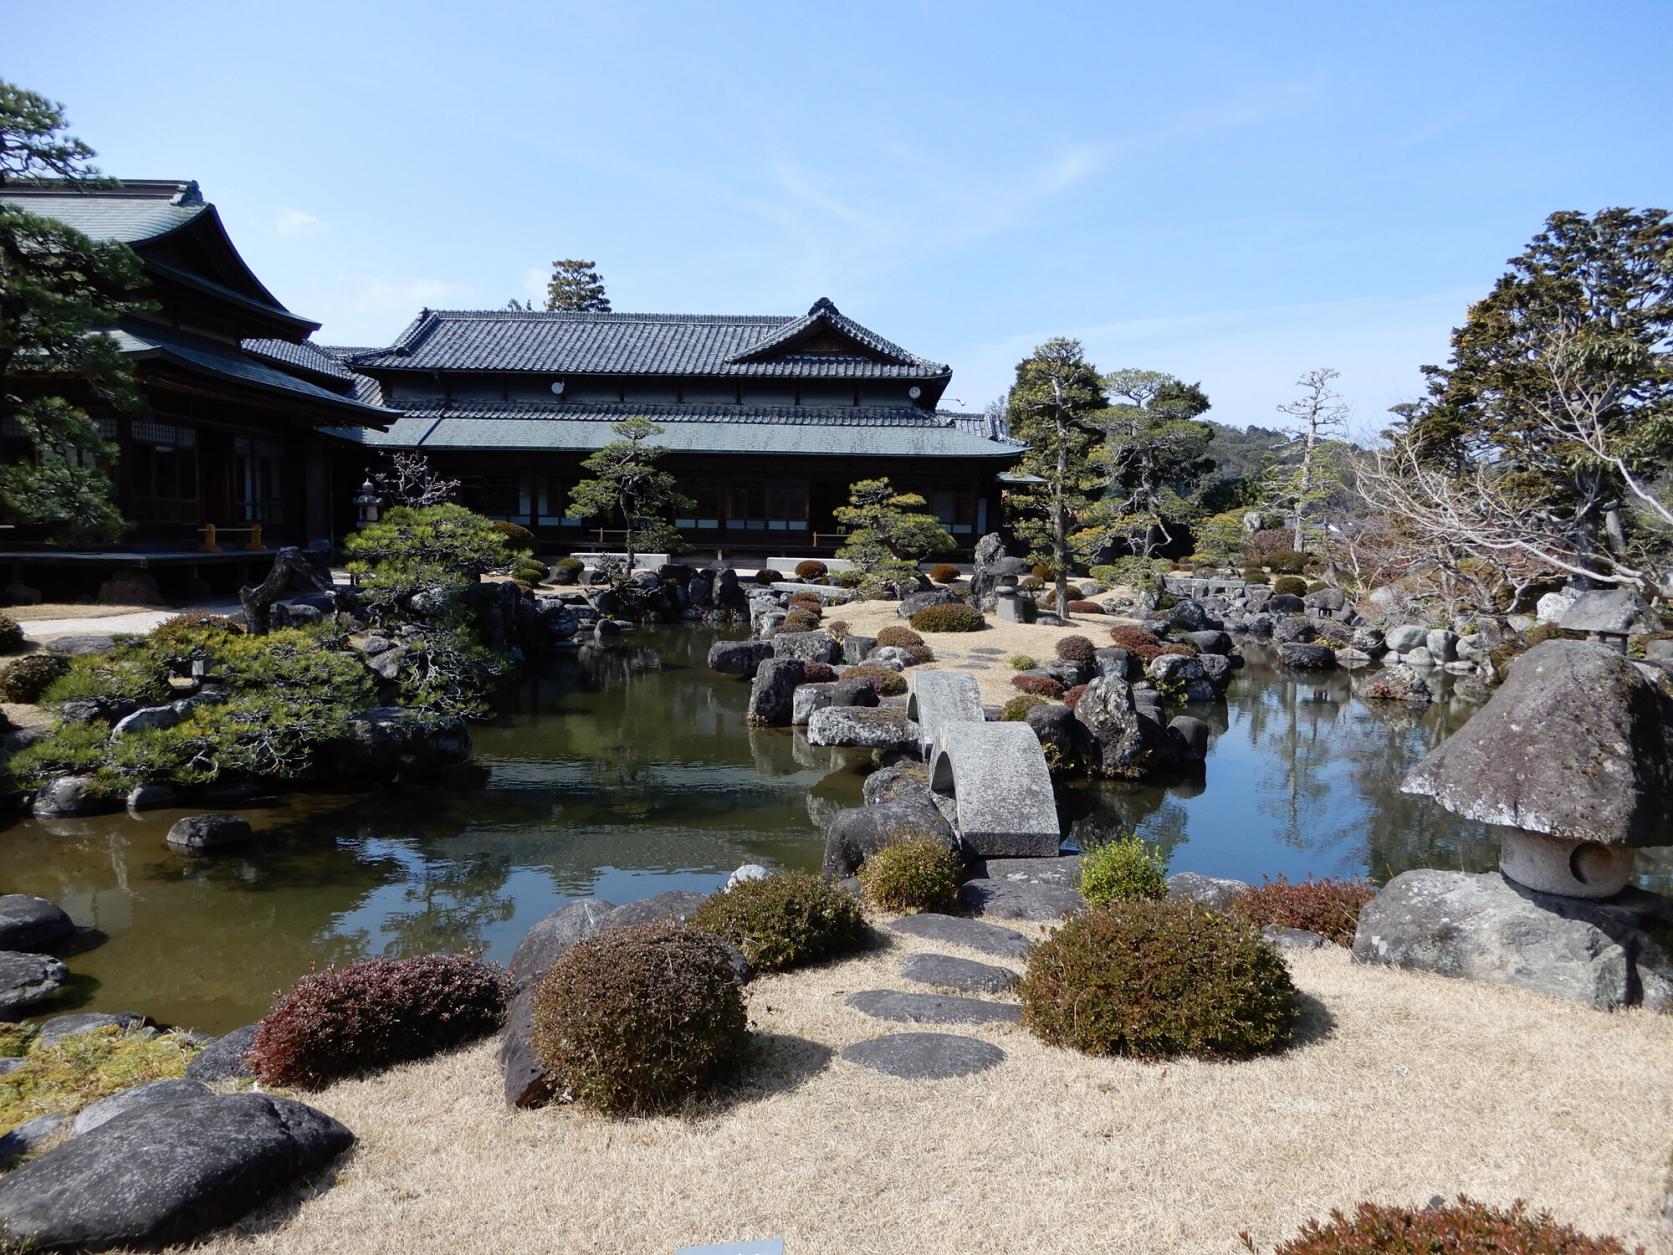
(767, 421)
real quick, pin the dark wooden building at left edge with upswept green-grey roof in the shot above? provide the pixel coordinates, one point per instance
(237, 397)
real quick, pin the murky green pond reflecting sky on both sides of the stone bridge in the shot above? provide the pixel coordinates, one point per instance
(628, 771)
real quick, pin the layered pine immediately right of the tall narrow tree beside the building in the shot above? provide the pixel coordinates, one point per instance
(1155, 451)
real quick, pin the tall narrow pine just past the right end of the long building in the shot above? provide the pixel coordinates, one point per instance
(1055, 407)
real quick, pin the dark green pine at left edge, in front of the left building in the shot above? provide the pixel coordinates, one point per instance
(58, 292)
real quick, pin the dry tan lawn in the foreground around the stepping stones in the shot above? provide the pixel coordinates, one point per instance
(1406, 1087)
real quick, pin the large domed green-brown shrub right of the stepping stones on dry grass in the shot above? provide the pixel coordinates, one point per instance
(1157, 980)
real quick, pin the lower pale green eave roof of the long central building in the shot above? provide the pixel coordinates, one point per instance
(703, 429)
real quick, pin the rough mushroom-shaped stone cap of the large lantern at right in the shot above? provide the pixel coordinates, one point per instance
(1575, 744)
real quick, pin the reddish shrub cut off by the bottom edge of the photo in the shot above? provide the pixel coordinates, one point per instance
(1465, 1227)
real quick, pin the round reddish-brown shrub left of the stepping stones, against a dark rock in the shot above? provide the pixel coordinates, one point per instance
(638, 1020)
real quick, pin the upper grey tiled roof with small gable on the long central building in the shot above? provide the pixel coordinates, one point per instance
(625, 344)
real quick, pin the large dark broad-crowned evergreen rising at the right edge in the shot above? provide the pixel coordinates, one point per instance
(1583, 319)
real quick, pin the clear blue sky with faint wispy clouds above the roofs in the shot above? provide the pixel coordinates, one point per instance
(1232, 193)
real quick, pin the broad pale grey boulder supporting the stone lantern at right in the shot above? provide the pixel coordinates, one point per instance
(1485, 928)
